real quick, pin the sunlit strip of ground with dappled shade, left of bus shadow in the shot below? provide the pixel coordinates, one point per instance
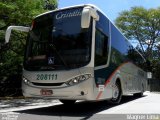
(10, 104)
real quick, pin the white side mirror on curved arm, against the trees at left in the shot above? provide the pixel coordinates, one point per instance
(10, 28)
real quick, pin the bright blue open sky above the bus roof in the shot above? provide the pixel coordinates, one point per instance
(112, 8)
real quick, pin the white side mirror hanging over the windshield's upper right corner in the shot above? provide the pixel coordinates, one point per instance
(87, 13)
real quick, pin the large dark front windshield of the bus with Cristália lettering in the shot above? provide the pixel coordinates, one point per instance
(57, 41)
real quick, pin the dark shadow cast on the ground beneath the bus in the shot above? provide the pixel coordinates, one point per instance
(80, 109)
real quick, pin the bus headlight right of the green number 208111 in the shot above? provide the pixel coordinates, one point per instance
(78, 79)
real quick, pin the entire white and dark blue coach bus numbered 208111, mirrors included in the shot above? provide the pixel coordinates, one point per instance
(76, 53)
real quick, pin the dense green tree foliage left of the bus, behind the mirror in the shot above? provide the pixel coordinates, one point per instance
(16, 12)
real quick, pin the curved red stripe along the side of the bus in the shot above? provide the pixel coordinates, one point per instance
(109, 79)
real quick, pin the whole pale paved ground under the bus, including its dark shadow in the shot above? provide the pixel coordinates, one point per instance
(131, 108)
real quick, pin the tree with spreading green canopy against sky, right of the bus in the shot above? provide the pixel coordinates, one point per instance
(142, 25)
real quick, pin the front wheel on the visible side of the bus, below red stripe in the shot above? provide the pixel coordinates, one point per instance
(117, 93)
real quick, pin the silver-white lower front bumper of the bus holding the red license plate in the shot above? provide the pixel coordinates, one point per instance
(81, 91)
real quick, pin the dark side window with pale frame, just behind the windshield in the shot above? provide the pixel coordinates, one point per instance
(101, 43)
